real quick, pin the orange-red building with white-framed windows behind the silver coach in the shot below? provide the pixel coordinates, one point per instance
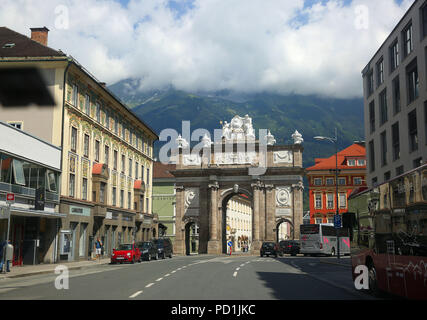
(322, 187)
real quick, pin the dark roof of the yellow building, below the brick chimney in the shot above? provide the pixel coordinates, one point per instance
(22, 46)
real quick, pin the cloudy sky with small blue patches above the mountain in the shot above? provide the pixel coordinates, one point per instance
(280, 46)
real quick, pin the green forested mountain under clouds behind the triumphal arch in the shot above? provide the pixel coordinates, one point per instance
(310, 115)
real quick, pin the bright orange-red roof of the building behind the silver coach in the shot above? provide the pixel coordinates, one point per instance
(353, 152)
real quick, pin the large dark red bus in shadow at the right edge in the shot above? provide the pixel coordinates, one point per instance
(388, 234)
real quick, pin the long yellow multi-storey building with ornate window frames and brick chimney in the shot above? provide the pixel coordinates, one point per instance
(107, 151)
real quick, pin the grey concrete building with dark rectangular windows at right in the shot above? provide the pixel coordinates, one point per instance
(395, 99)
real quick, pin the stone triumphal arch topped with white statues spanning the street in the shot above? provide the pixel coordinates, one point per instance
(235, 162)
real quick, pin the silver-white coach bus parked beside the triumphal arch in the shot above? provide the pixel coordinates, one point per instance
(321, 239)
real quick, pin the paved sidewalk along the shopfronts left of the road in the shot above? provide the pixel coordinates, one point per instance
(29, 270)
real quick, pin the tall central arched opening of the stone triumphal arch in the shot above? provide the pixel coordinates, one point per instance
(237, 222)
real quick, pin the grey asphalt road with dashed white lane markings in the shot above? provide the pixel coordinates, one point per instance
(202, 277)
